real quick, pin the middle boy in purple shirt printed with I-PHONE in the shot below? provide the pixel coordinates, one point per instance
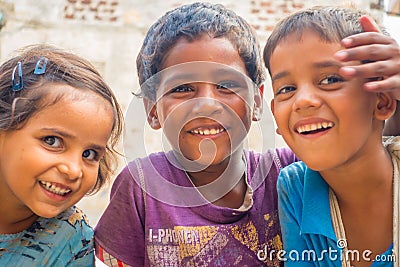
(208, 202)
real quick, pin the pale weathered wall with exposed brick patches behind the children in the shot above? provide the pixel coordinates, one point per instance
(109, 33)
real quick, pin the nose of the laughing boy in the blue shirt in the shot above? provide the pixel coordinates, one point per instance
(306, 98)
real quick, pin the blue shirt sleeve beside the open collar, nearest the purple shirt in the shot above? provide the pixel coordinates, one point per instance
(290, 210)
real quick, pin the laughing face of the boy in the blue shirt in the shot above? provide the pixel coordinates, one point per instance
(323, 118)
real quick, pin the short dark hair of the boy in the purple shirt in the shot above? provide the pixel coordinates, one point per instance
(193, 21)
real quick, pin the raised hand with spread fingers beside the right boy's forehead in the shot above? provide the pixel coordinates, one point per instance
(382, 54)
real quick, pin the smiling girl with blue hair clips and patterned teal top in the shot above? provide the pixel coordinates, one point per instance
(59, 125)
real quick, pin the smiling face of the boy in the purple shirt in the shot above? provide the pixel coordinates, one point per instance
(205, 100)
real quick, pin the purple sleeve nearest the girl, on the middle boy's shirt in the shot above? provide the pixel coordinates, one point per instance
(120, 230)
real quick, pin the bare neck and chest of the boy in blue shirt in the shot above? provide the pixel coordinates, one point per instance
(365, 195)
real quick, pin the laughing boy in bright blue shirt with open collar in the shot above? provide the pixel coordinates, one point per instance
(339, 207)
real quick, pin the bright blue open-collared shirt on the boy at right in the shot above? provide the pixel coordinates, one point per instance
(304, 212)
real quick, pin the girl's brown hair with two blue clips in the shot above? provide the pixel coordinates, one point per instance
(17, 107)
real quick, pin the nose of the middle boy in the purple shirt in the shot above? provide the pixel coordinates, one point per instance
(207, 100)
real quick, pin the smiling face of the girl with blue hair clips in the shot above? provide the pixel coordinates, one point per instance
(53, 160)
